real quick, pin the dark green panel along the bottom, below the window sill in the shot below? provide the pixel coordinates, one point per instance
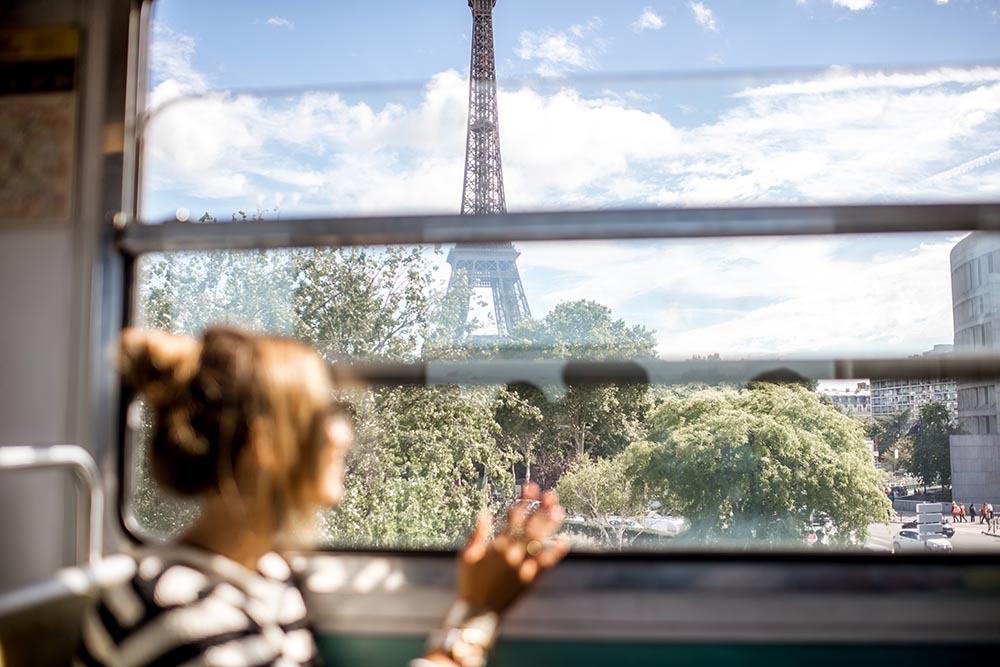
(386, 652)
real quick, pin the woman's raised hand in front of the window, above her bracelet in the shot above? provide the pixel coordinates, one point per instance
(494, 574)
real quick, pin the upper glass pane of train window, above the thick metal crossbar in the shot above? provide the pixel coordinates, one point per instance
(715, 114)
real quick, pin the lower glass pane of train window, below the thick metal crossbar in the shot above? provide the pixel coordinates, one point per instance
(699, 464)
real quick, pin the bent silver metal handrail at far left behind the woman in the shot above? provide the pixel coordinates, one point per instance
(90, 494)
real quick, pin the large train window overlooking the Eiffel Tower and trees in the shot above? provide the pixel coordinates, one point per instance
(726, 309)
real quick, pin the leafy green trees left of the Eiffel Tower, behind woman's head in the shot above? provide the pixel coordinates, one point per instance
(427, 459)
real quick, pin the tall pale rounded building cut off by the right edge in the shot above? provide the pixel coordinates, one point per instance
(975, 293)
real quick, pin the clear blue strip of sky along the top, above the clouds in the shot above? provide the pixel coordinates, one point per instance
(252, 44)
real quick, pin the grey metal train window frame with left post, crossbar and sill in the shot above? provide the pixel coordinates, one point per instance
(852, 598)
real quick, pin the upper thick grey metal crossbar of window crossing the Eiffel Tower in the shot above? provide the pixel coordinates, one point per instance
(137, 238)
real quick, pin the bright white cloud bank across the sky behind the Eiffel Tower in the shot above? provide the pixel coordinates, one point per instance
(841, 136)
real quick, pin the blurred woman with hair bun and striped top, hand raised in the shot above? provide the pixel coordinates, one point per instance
(248, 424)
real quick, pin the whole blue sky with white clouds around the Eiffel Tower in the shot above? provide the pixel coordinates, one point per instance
(737, 102)
